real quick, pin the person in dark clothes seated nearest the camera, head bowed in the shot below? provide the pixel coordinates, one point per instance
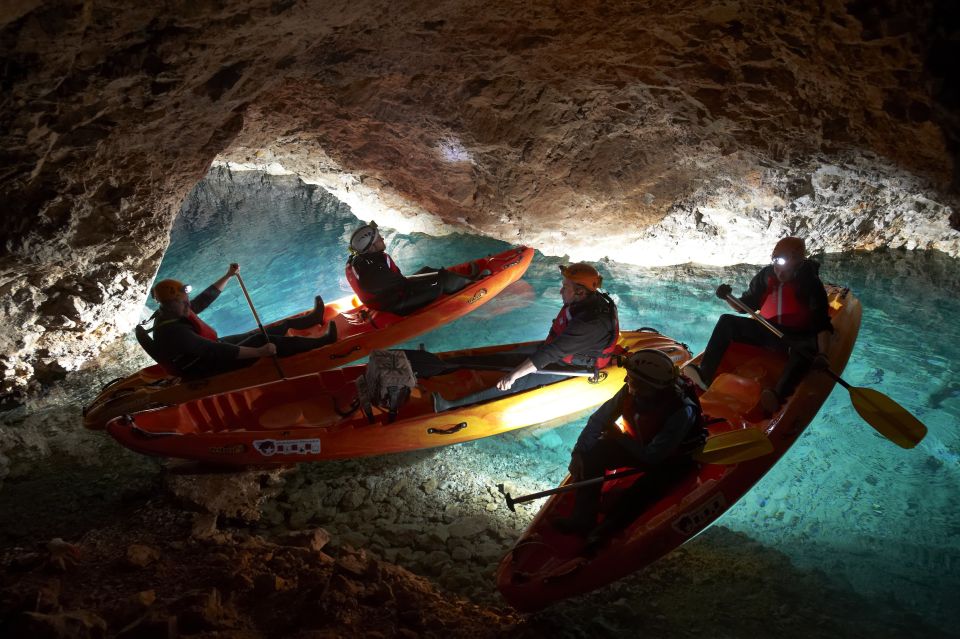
(662, 425)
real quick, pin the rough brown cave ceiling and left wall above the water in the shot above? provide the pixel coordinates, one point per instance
(630, 130)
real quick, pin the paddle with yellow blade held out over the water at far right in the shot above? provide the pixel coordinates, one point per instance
(887, 417)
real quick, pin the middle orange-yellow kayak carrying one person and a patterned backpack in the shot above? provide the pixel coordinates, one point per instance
(302, 419)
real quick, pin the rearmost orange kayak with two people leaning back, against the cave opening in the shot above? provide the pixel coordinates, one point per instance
(359, 331)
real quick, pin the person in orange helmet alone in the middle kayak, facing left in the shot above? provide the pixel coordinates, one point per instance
(582, 337)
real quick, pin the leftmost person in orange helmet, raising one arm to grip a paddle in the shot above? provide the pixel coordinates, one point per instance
(187, 346)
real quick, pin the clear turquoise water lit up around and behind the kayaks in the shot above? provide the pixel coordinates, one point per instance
(844, 500)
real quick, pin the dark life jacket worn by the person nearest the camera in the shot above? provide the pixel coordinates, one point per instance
(642, 423)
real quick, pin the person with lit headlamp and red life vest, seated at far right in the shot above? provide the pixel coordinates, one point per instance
(789, 293)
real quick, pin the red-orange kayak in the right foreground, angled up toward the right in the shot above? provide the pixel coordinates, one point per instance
(546, 565)
